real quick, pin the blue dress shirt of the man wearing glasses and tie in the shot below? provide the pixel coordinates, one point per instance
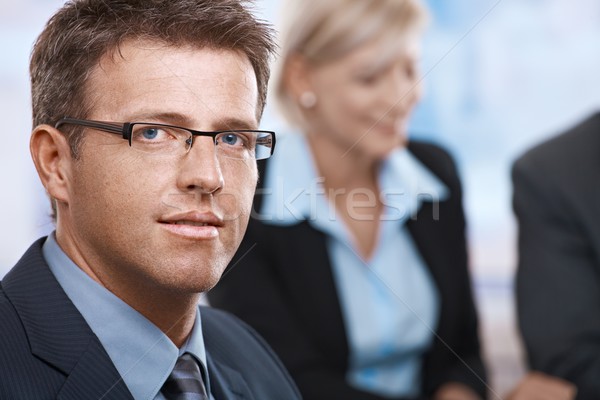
(142, 354)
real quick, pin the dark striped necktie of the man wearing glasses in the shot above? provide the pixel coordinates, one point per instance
(185, 382)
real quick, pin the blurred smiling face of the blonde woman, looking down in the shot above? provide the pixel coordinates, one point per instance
(364, 99)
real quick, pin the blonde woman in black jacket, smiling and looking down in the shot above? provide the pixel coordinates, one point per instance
(354, 266)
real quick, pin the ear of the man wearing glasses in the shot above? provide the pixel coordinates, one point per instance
(53, 161)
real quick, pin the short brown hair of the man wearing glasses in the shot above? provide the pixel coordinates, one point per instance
(83, 31)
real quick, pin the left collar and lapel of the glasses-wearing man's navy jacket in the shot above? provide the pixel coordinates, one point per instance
(57, 332)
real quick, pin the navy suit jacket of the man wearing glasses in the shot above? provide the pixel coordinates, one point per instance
(47, 350)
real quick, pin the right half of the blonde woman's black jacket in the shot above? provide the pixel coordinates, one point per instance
(455, 355)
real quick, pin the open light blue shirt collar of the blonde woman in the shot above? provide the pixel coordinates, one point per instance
(293, 191)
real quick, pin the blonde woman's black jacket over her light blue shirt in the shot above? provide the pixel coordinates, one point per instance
(281, 283)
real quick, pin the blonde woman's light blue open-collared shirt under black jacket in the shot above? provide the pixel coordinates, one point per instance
(390, 303)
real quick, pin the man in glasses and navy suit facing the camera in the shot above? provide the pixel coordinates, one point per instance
(145, 115)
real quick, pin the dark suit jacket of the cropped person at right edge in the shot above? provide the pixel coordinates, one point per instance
(557, 202)
